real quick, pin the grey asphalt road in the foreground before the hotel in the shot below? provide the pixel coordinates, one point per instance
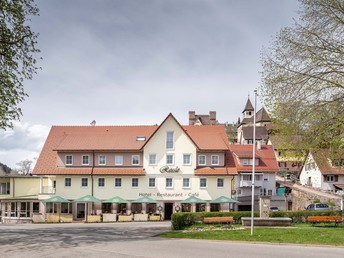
(135, 239)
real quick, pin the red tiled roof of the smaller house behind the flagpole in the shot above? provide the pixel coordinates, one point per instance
(266, 155)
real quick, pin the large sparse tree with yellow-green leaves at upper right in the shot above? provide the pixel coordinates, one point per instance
(303, 76)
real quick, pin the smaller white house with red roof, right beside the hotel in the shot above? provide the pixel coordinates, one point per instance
(241, 157)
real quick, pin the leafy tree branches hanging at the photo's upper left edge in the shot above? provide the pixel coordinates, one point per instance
(17, 56)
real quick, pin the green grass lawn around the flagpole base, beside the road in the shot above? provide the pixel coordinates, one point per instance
(320, 234)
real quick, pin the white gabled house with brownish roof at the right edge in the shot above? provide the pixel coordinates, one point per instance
(324, 170)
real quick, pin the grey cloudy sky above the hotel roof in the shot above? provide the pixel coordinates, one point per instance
(132, 62)
